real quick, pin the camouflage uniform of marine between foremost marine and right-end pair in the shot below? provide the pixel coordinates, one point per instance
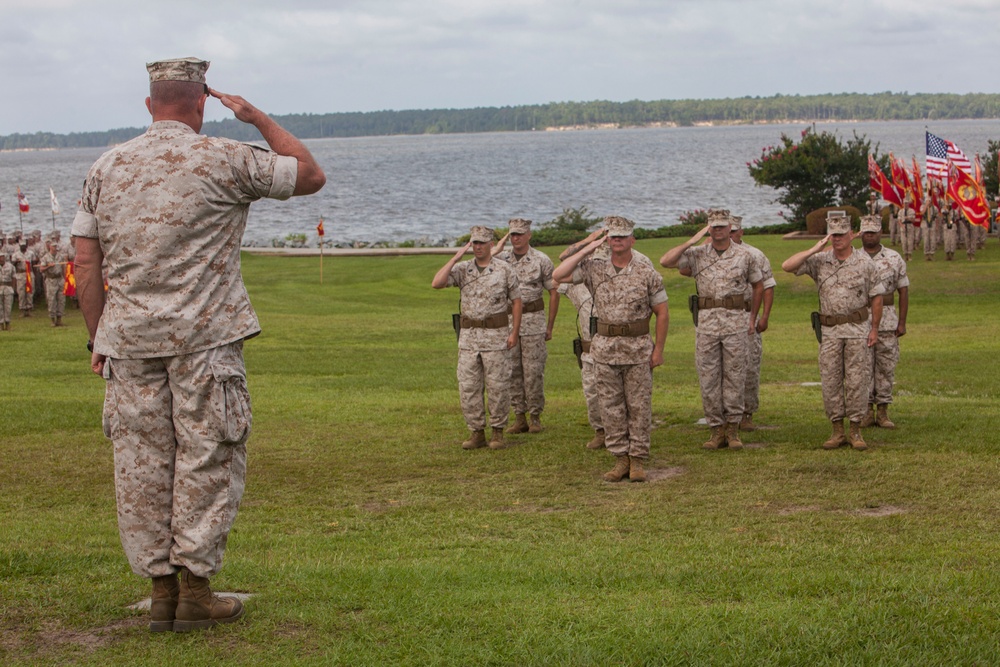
(721, 334)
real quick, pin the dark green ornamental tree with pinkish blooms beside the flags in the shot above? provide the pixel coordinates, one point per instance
(820, 170)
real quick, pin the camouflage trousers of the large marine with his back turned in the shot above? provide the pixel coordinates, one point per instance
(180, 456)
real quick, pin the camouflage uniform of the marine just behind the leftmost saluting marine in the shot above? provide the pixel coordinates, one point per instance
(528, 356)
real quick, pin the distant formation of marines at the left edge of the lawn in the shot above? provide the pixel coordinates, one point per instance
(47, 261)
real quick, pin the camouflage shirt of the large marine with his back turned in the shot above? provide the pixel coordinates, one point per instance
(185, 293)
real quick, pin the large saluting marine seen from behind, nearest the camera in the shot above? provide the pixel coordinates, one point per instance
(166, 212)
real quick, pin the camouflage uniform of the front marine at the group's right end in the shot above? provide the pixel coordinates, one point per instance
(845, 361)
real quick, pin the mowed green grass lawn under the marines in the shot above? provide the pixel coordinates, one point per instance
(368, 537)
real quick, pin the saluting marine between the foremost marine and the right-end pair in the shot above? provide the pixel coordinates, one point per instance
(724, 272)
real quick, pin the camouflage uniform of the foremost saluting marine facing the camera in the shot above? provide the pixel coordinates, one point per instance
(624, 378)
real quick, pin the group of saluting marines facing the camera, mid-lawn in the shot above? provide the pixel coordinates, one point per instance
(616, 290)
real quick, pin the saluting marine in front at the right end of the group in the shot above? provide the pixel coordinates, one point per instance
(850, 302)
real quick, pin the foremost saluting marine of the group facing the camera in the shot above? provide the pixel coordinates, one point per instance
(627, 292)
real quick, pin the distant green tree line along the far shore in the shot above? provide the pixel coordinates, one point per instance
(831, 107)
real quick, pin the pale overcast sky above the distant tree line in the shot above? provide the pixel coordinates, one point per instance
(79, 65)
